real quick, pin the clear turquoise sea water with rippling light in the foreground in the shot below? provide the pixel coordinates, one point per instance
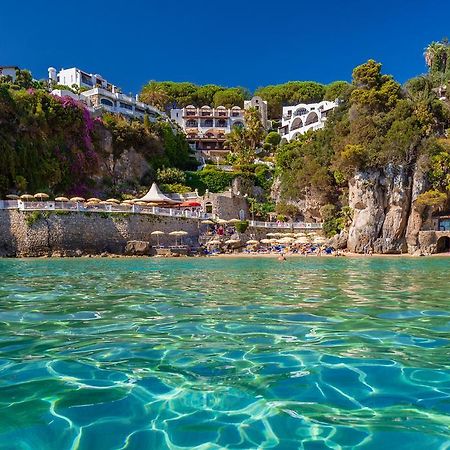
(239, 353)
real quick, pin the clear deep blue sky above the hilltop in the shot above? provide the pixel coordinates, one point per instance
(248, 43)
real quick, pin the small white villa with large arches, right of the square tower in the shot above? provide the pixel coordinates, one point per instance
(301, 118)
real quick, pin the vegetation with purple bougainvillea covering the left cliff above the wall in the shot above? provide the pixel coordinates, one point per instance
(52, 144)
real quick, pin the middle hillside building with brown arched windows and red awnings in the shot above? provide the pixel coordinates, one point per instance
(206, 127)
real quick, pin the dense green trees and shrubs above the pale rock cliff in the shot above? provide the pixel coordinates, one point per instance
(378, 123)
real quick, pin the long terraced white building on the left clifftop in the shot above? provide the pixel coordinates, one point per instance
(100, 95)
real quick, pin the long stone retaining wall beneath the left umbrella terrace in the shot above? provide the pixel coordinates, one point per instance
(56, 233)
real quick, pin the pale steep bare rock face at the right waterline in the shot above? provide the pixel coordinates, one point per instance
(385, 218)
